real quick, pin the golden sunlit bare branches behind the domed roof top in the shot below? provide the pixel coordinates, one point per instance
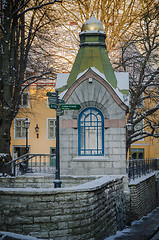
(117, 17)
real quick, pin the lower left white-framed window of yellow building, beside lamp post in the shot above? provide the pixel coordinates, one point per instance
(19, 128)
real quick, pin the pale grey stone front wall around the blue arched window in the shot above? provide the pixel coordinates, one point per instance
(94, 94)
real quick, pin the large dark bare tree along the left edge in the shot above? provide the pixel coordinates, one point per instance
(21, 21)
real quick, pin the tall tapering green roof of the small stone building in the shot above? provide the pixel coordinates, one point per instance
(92, 53)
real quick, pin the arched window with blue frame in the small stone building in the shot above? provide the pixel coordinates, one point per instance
(91, 132)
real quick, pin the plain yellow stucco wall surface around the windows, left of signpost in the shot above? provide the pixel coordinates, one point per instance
(38, 112)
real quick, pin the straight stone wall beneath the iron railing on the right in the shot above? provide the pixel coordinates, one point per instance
(143, 194)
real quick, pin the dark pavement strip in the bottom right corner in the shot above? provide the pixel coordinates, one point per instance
(146, 228)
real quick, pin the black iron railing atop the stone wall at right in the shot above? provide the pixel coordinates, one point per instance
(139, 167)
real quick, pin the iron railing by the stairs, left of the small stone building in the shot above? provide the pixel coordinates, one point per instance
(30, 163)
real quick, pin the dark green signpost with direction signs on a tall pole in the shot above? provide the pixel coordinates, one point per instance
(59, 105)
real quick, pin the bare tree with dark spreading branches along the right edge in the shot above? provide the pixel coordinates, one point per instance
(139, 56)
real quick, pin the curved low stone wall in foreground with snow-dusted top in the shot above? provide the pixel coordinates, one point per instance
(90, 210)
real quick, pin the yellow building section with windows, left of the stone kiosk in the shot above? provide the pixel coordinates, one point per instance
(34, 105)
